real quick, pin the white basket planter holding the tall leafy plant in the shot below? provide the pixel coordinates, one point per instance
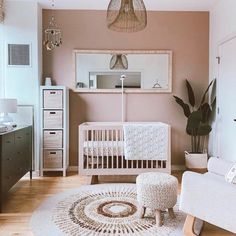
(196, 160)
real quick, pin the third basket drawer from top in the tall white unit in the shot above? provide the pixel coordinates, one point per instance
(53, 139)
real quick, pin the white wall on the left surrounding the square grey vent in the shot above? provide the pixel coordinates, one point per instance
(23, 24)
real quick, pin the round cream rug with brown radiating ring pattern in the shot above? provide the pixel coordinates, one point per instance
(100, 210)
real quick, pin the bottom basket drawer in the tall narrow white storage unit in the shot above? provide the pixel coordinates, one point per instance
(52, 159)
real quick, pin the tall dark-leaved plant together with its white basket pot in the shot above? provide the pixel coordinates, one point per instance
(198, 125)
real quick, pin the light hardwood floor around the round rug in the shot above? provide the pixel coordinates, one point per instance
(27, 195)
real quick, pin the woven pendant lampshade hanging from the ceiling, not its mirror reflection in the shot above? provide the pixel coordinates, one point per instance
(126, 15)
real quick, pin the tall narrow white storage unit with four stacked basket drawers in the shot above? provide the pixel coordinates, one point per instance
(54, 128)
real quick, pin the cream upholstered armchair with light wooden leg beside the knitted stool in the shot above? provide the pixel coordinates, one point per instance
(209, 197)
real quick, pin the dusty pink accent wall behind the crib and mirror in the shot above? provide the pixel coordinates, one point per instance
(185, 33)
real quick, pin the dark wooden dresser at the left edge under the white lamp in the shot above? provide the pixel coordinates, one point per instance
(15, 158)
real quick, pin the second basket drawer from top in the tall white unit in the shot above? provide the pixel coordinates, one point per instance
(52, 119)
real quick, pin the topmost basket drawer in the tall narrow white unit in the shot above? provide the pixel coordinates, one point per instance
(53, 99)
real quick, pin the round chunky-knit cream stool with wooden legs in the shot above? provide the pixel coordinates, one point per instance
(157, 191)
